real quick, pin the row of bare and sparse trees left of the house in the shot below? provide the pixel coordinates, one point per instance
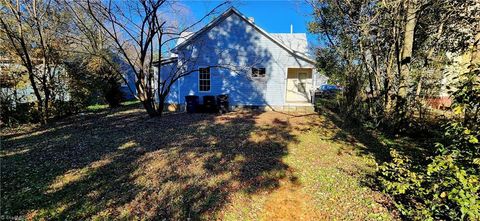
(95, 43)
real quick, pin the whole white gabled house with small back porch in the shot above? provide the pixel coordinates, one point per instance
(232, 55)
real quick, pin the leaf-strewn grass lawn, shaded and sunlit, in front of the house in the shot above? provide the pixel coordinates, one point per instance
(238, 166)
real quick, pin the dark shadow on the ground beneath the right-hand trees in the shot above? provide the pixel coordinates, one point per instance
(372, 143)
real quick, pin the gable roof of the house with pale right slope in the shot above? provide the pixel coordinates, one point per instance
(297, 42)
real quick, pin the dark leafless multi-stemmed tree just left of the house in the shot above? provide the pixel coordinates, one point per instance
(139, 30)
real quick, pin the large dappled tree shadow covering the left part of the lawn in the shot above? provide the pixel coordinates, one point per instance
(120, 163)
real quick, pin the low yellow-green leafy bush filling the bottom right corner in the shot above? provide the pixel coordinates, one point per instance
(447, 189)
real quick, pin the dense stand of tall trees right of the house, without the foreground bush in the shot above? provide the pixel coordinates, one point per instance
(391, 55)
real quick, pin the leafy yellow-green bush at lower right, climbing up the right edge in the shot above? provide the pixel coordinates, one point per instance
(448, 188)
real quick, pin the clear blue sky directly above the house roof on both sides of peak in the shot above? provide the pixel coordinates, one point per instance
(272, 16)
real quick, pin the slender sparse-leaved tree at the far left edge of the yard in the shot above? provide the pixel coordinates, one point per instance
(33, 33)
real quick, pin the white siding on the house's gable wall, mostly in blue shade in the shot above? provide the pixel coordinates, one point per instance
(237, 45)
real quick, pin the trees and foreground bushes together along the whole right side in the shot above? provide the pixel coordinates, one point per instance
(391, 56)
